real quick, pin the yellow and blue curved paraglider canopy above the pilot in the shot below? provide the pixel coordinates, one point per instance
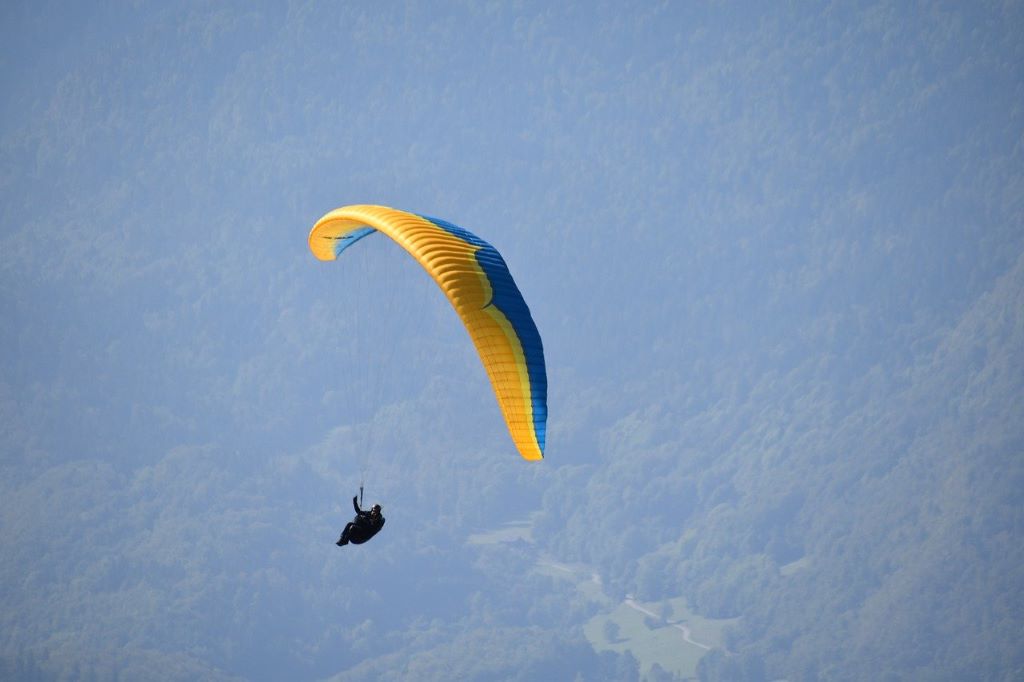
(480, 287)
